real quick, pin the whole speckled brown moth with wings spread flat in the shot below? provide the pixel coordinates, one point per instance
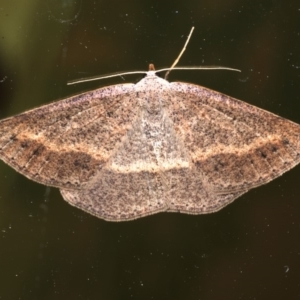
(130, 150)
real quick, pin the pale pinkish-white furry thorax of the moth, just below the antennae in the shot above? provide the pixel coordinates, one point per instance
(153, 93)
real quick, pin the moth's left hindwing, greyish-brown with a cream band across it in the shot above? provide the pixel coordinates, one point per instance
(129, 186)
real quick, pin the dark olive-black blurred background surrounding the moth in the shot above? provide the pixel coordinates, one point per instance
(248, 250)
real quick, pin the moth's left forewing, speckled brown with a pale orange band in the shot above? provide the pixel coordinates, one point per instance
(63, 144)
